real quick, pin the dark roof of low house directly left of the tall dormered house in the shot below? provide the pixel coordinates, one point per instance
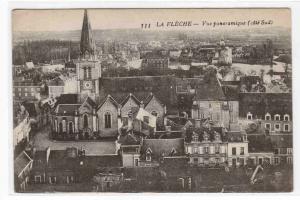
(163, 146)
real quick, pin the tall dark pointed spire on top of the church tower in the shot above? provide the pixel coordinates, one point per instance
(87, 43)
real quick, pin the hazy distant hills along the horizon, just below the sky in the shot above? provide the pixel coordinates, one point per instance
(281, 37)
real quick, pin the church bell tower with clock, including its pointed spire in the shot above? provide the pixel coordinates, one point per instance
(88, 68)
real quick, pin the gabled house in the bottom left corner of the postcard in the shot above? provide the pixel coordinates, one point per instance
(22, 169)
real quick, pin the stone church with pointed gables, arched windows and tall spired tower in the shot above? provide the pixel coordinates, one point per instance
(102, 106)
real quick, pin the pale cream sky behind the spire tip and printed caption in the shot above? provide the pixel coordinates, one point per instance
(65, 20)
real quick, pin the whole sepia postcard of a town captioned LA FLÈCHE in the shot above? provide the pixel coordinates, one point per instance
(119, 100)
